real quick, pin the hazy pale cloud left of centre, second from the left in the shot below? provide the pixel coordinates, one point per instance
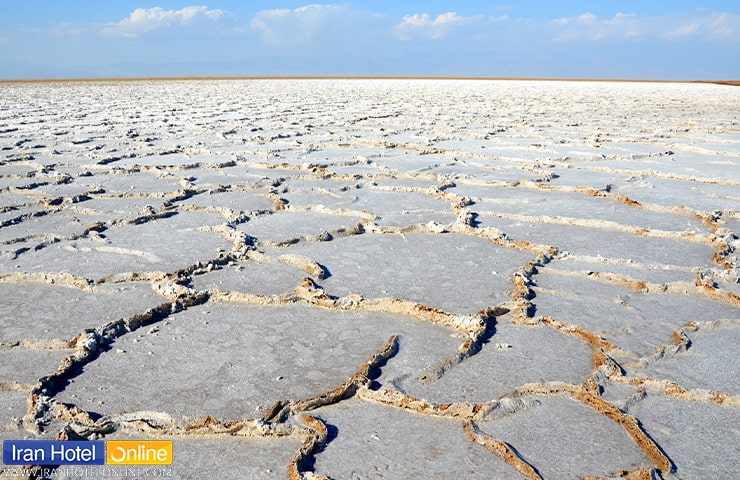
(304, 25)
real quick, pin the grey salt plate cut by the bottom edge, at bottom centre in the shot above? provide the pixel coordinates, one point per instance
(367, 440)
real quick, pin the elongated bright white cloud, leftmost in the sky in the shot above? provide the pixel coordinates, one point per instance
(144, 20)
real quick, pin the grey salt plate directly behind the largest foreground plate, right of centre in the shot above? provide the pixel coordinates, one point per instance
(456, 273)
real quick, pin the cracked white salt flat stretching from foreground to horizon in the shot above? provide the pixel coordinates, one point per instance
(375, 278)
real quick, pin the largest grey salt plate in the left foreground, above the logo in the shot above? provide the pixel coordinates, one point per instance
(233, 361)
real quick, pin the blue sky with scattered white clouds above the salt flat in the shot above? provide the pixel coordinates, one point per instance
(662, 39)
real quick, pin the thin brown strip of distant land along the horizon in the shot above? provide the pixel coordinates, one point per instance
(359, 77)
